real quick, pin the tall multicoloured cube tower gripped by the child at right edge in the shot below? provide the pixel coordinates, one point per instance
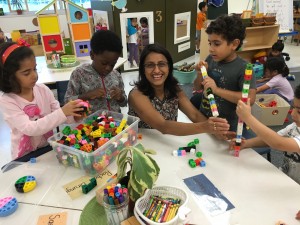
(245, 94)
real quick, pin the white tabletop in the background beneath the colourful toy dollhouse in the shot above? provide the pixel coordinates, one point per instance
(48, 76)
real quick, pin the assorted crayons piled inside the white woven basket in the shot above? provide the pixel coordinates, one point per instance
(161, 209)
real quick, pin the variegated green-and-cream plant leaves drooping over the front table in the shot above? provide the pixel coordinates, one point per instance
(143, 170)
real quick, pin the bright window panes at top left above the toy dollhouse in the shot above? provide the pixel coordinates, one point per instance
(35, 5)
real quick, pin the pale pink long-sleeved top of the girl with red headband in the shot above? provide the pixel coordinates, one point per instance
(31, 123)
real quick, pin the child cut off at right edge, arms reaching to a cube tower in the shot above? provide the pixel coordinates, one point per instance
(287, 139)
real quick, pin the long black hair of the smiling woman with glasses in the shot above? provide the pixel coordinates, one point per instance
(171, 84)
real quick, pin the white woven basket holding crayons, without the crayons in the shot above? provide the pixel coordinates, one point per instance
(165, 191)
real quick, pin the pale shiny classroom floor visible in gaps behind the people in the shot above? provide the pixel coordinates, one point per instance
(294, 65)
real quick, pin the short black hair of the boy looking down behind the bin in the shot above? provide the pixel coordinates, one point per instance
(106, 40)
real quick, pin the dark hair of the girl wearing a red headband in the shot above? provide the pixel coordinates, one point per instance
(8, 69)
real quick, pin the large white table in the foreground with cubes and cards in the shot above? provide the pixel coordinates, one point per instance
(260, 192)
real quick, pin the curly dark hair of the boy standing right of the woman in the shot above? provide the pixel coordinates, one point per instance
(229, 27)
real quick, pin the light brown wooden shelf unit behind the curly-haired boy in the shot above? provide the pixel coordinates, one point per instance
(257, 39)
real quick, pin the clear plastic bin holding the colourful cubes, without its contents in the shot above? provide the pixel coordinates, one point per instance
(96, 161)
